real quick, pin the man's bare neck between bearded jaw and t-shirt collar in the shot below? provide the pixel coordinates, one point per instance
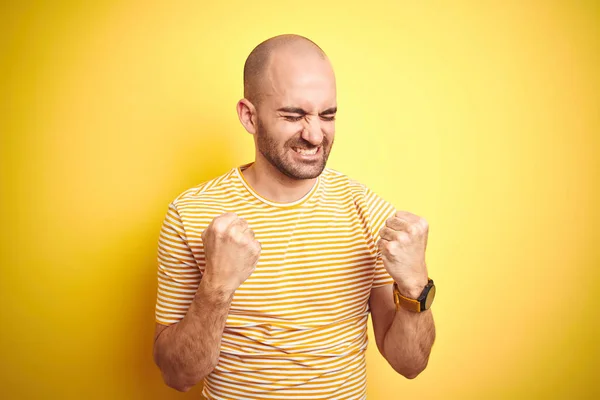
(272, 184)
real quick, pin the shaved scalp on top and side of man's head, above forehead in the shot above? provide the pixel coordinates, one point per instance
(260, 60)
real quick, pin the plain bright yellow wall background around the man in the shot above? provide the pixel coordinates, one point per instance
(482, 117)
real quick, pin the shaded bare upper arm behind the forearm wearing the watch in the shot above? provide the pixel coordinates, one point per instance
(383, 310)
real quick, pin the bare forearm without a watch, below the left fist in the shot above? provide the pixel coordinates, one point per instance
(189, 350)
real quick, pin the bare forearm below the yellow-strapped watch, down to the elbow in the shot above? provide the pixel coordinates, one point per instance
(408, 342)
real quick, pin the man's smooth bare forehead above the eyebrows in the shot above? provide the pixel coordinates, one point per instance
(305, 81)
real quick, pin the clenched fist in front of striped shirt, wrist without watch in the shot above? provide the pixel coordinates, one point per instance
(231, 251)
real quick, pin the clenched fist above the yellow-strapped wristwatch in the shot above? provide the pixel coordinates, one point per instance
(402, 245)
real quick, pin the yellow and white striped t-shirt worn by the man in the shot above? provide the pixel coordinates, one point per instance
(297, 327)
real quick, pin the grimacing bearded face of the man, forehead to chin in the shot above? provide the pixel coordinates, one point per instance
(296, 117)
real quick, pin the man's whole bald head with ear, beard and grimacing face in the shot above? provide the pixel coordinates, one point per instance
(289, 106)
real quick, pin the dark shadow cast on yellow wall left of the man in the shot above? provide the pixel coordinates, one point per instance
(204, 159)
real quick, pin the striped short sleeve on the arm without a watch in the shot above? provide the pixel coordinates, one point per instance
(178, 272)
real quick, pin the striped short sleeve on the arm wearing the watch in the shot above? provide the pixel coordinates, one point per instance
(379, 211)
